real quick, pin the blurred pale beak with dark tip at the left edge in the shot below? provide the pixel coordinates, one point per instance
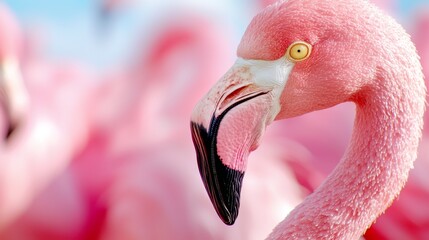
(13, 94)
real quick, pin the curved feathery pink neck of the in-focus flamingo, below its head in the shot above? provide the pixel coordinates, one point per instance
(373, 171)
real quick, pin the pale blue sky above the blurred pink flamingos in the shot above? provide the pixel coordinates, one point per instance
(72, 26)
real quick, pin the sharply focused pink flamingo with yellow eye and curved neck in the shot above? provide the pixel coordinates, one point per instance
(300, 56)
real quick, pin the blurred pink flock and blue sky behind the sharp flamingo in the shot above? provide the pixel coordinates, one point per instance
(94, 122)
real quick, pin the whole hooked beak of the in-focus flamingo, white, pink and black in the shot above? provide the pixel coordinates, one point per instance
(227, 125)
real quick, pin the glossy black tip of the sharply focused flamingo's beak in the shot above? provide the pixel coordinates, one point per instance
(222, 183)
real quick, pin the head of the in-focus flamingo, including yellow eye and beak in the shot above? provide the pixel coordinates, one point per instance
(295, 57)
